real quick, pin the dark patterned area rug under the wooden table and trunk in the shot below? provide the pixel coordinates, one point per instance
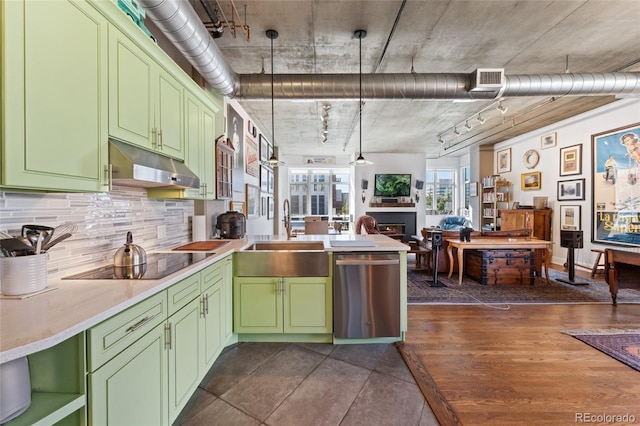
(472, 292)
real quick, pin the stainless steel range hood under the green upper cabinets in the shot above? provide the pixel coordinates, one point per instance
(133, 166)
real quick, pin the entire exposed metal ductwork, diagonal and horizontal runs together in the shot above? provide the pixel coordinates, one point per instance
(182, 26)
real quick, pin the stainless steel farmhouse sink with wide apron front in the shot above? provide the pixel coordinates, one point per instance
(282, 259)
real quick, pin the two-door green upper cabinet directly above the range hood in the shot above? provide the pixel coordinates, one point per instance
(145, 101)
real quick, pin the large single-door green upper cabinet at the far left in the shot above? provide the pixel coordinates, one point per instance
(54, 102)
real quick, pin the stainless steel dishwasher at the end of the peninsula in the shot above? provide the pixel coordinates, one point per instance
(366, 295)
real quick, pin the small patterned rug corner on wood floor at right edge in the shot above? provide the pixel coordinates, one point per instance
(623, 345)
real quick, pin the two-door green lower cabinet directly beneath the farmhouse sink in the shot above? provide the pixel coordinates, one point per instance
(301, 305)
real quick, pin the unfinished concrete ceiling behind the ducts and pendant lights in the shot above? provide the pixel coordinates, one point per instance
(428, 36)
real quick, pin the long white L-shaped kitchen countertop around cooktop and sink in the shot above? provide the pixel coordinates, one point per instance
(41, 321)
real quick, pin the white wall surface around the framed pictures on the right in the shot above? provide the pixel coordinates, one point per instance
(572, 131)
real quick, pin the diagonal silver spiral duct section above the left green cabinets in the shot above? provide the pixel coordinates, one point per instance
(183, 27)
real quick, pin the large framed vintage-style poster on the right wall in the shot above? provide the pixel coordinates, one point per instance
(616, 189)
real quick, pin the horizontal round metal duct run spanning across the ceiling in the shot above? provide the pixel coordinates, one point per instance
(432, 86)
